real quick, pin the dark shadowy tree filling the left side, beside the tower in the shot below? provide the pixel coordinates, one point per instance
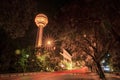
(15, 21)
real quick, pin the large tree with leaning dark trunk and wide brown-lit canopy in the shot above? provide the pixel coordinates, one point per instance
(83, 31)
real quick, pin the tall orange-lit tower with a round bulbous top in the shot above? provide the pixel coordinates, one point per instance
(41, 21)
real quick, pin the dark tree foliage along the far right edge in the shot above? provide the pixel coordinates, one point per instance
(111, 23)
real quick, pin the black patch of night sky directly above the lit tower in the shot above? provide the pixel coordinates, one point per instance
(50, 7)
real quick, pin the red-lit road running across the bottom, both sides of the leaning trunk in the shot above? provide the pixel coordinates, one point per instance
(61, 75)
